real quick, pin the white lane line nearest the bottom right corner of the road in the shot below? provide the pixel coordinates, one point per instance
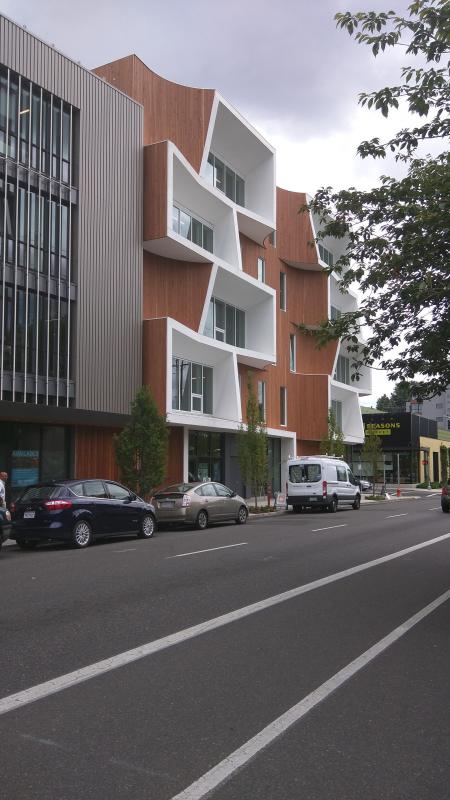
(216, 776)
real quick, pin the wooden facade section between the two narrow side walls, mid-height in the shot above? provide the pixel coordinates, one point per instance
(175, 289)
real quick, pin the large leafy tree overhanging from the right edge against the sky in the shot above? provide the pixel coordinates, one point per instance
(396, 235)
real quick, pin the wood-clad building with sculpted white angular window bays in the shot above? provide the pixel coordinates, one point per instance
(229, 272)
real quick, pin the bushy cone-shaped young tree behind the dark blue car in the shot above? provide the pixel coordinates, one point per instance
(141, 447)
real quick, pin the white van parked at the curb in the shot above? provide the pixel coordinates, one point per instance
(321, 481)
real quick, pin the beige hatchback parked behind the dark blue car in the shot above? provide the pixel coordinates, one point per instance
(199, 504)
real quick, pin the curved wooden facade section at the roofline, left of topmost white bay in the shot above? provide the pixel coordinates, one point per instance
(171, 111)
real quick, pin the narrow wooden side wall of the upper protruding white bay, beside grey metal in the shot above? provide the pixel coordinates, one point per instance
(155, 191)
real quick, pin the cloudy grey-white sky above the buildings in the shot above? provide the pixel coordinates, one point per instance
(282, 63)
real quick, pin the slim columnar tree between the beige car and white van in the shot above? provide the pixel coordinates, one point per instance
(252, 447)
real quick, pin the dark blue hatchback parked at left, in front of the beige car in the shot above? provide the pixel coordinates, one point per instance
(78, 511)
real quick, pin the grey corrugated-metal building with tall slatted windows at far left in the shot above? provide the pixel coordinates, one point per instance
(70, 261)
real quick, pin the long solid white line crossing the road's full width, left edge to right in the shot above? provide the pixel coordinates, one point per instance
(41, 690)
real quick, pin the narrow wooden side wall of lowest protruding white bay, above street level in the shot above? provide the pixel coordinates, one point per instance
(154, 359)
